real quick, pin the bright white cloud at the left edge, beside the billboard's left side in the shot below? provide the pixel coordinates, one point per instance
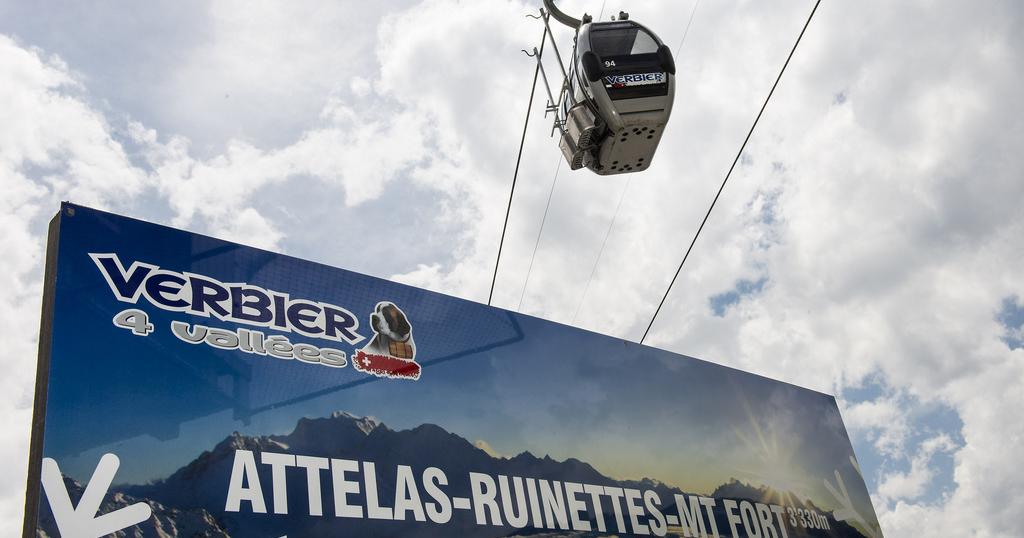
(64, 145)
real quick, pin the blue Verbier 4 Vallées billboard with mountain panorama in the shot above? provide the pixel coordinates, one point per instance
(192, 387)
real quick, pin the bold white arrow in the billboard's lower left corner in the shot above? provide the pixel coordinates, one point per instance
(81, 521)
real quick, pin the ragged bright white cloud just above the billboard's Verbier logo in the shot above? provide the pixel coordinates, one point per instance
(354, 150)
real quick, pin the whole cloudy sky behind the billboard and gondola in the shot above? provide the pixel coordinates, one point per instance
(869, 245)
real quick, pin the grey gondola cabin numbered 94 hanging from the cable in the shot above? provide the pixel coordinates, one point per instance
(618, 97)
